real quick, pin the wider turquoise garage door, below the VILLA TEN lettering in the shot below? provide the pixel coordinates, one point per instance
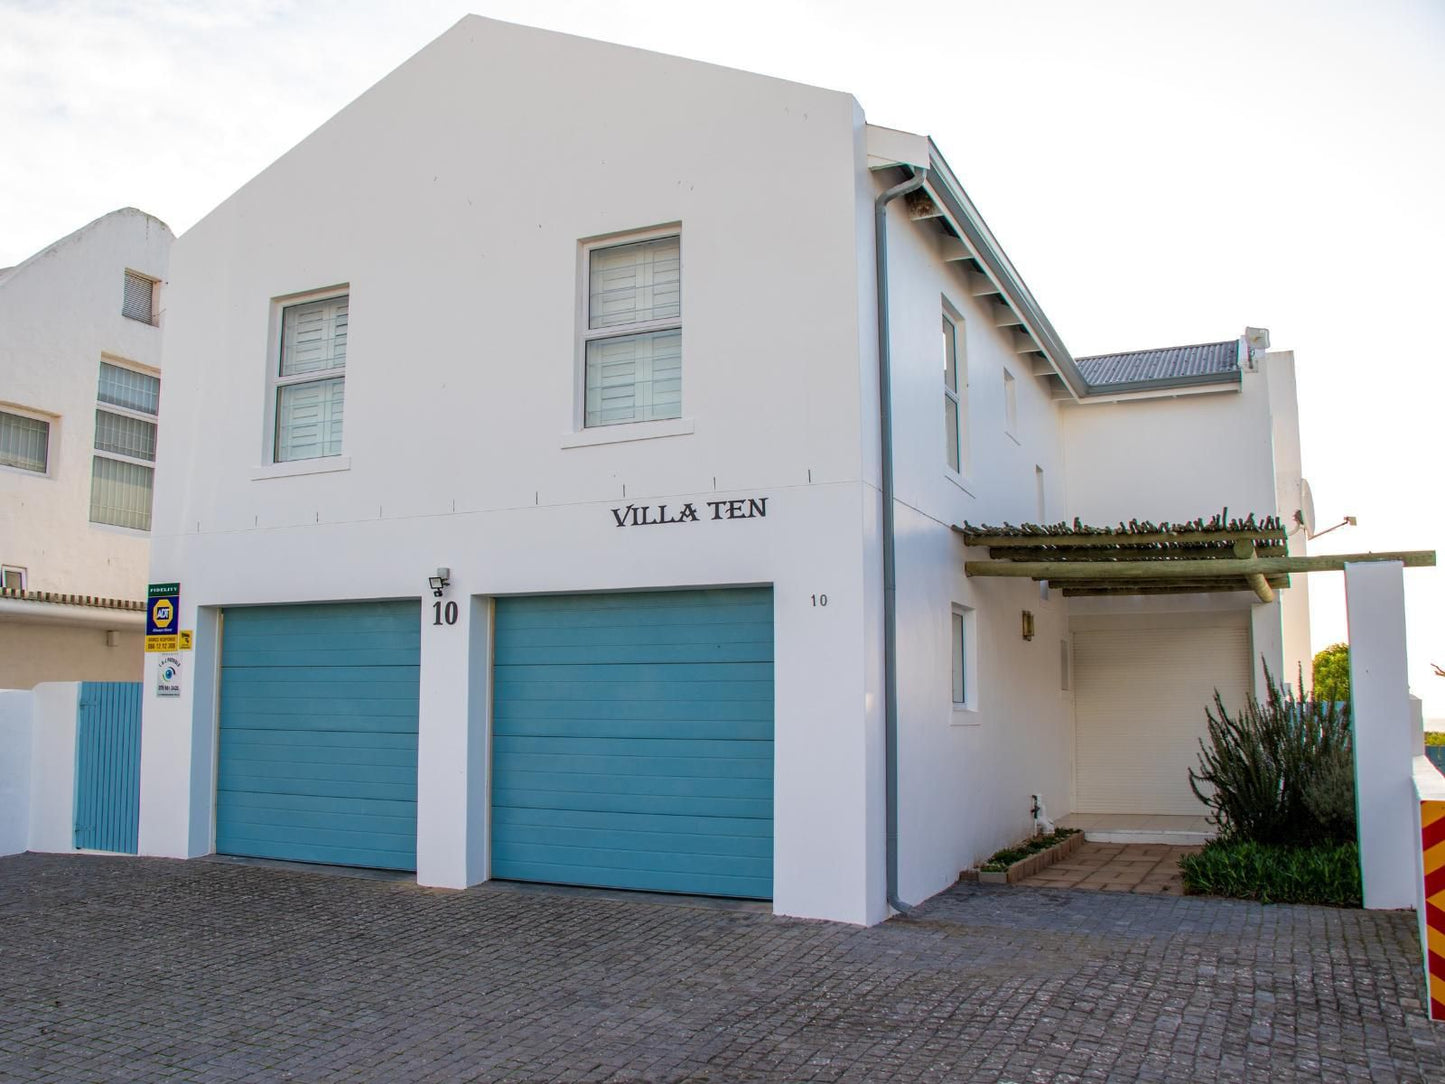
(634, 742)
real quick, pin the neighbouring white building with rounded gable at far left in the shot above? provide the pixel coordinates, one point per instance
(80, 378)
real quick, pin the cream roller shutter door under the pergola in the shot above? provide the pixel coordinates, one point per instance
(1141, 699)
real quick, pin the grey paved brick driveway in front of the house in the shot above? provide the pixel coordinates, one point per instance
(121, 969)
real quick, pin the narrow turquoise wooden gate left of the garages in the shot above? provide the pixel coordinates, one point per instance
(108, 767)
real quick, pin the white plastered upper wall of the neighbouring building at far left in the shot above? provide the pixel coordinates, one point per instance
(60, 316)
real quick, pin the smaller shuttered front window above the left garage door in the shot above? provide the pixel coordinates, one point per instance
(309, 379)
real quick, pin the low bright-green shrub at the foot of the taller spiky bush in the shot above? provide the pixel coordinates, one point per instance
(1324, 874)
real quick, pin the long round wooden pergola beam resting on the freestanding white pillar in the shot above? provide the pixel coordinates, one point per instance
(1063, 572)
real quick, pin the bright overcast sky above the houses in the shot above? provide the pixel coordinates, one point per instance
(1160, 173)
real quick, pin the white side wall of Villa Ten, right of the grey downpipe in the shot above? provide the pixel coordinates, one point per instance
(966, 778)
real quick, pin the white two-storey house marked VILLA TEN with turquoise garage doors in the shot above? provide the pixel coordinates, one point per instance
(522, 481)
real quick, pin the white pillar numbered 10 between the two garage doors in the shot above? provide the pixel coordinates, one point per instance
(452, 770)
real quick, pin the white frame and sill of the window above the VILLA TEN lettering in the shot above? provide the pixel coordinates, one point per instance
(585, 434)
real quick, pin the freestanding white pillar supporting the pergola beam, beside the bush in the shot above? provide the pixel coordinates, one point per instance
(1384, 744)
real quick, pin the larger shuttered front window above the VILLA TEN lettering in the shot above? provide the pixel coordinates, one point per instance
(632, 335)
